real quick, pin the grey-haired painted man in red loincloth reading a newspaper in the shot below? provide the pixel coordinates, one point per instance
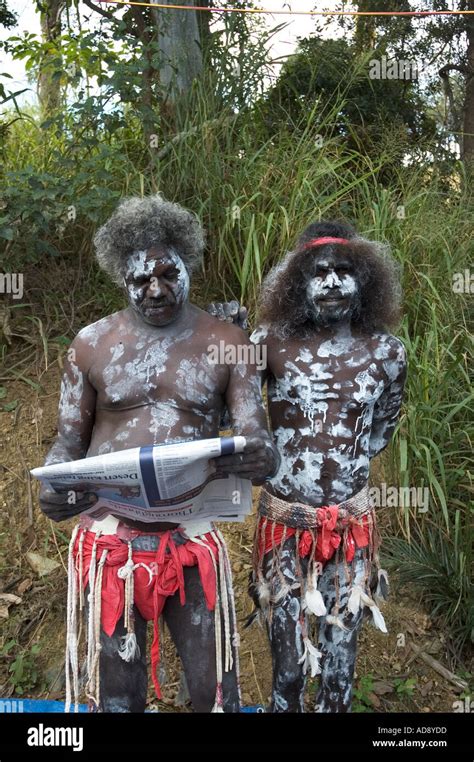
(138, 377)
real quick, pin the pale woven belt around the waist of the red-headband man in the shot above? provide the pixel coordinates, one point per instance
(304, 516)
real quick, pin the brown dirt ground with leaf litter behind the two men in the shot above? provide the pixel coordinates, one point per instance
(389, 677)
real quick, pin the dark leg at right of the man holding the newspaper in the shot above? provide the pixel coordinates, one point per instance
(192, 630)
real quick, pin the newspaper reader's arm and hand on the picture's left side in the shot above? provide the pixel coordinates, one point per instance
(75, 424)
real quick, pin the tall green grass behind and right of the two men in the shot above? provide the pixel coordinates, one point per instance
(254, 194)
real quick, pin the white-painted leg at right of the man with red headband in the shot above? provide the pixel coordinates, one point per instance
(339, 647)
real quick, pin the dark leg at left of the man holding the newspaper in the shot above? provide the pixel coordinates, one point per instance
(123, 685)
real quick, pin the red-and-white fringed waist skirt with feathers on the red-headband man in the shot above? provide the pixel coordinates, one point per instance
(353, 516)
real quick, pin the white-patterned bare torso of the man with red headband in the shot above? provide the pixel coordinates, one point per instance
(322, 393)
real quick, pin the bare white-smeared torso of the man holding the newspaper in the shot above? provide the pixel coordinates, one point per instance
(152, 390)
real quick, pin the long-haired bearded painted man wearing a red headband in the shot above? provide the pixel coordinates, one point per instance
(335, 383)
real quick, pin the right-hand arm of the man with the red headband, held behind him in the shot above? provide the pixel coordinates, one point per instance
(387, 407)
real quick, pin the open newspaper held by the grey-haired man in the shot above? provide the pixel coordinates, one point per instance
(175, 482)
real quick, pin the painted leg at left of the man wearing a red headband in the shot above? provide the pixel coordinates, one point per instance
(286, 639)
